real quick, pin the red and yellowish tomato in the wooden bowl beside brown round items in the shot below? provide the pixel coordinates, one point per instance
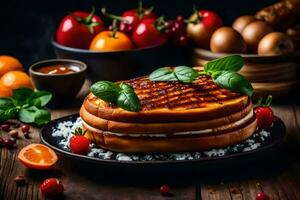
(201, 26)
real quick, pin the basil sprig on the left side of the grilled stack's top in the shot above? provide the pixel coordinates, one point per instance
(122, 95)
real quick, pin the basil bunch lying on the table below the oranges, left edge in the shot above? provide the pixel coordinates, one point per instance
(26, 105)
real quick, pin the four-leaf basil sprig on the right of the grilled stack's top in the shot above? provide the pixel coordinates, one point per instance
(224, 72)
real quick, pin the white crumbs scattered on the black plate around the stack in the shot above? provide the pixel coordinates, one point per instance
(64, 130)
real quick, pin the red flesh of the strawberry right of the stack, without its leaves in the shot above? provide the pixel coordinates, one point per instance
(264, 116)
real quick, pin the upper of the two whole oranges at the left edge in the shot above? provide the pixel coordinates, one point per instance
(9, 63)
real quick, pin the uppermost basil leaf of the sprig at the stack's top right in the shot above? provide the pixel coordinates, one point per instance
(228, 63)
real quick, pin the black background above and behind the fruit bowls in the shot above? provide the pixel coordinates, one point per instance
(27, 25)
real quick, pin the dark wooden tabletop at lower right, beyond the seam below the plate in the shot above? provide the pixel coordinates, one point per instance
(283, 186)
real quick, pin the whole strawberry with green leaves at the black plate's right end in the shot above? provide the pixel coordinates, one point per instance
(264, 114)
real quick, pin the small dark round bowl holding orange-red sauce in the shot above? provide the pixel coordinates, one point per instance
(64, 87)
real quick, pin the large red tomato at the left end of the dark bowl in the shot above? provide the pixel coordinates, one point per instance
(78, 29)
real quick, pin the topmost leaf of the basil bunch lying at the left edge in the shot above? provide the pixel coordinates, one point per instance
(22, 96)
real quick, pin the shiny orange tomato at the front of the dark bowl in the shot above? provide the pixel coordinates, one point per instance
(108, 41)
